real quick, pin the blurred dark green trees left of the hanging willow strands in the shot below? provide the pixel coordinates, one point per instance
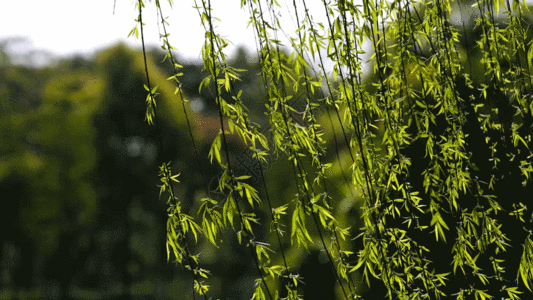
(81, 218)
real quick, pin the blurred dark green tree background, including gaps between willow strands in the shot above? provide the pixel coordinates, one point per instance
(81, 216)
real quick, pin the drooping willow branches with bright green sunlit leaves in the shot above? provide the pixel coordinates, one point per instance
(430, 107)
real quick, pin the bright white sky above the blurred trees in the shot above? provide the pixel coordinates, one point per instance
(66, 27)
